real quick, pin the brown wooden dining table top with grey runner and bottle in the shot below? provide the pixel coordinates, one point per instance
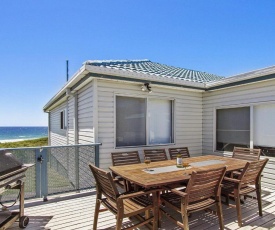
(164, 174)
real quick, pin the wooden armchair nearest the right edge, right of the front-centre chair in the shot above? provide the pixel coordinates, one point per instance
(248, 181)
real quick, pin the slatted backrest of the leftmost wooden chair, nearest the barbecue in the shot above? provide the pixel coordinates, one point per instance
(104, 183)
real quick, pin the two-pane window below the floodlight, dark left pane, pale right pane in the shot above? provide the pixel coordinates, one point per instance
(141, 121)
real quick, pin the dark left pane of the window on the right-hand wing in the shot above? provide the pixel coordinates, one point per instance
(233, 128)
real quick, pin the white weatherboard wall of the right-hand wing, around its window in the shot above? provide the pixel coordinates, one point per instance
(246, 95)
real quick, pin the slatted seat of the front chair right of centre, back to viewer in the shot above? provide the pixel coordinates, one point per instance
(175, 201)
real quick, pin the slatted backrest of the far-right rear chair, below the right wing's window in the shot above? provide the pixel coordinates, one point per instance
(246, 154)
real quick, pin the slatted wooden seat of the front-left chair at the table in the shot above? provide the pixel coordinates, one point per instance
(131, 206)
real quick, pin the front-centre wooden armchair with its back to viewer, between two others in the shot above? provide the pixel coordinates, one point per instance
(203, 191)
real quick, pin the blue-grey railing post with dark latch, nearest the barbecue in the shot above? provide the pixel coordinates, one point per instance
(41, 173)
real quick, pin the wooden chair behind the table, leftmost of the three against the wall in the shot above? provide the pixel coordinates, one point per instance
(124, 158)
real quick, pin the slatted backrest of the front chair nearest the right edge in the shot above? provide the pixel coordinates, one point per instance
(252, 172)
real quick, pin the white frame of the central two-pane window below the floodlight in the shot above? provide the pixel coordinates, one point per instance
(172, 100)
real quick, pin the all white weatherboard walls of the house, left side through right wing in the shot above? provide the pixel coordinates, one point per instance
(194, 116)
